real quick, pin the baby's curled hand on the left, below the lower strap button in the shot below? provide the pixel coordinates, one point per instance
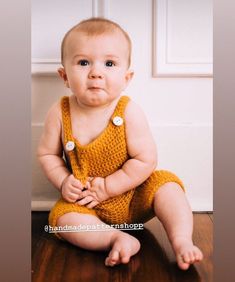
(71, 189)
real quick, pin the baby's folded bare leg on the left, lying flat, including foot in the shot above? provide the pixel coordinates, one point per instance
(122, 245)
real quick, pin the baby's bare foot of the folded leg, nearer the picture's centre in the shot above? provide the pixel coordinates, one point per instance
(123, 247)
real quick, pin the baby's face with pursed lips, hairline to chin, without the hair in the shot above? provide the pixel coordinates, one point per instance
(96, 67)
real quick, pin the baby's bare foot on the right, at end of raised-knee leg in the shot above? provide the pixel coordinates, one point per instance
(186, 253)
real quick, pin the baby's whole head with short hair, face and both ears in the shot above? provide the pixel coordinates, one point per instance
(96, 56)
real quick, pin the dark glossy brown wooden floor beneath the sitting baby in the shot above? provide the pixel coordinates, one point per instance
(55, 261)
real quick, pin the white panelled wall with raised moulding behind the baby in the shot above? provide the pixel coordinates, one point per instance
(178, 103)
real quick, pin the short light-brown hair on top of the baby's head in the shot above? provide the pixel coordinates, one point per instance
(96, 26)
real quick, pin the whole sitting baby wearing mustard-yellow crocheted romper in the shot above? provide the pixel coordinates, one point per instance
(98, 151)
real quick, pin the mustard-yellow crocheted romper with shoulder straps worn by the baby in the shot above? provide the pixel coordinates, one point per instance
(102, 157)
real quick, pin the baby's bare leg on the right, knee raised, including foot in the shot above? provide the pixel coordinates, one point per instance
(172, 209)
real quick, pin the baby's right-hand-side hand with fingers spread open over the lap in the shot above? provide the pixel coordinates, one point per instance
(96, 193)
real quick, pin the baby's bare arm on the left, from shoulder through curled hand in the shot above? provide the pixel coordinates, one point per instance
(50, 155)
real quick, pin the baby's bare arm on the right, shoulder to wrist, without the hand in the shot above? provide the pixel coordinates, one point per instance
(142, 150)
